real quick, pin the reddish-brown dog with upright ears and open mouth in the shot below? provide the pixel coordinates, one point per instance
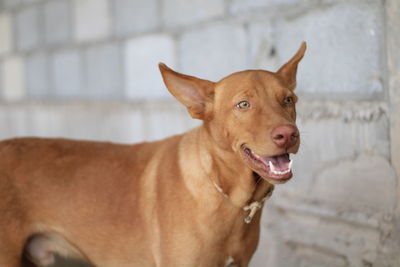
(189, 200)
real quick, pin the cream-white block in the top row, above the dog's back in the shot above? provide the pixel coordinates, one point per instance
(92, 19)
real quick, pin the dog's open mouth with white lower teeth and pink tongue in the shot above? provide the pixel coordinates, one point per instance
(276, 169)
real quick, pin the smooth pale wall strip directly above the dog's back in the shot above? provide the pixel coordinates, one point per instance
(120, 122)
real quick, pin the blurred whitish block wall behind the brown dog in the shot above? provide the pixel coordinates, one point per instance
(87, 69)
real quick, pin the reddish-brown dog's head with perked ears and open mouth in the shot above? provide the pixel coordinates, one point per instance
(251, 113)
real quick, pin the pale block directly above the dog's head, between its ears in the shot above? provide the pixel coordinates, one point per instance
(213, 51)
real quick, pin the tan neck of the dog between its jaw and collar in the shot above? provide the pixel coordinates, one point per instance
(228, 172)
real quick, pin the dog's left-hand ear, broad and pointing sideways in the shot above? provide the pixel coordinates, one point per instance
(196, 94)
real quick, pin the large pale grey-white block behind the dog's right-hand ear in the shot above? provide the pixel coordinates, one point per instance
(344, 47)
